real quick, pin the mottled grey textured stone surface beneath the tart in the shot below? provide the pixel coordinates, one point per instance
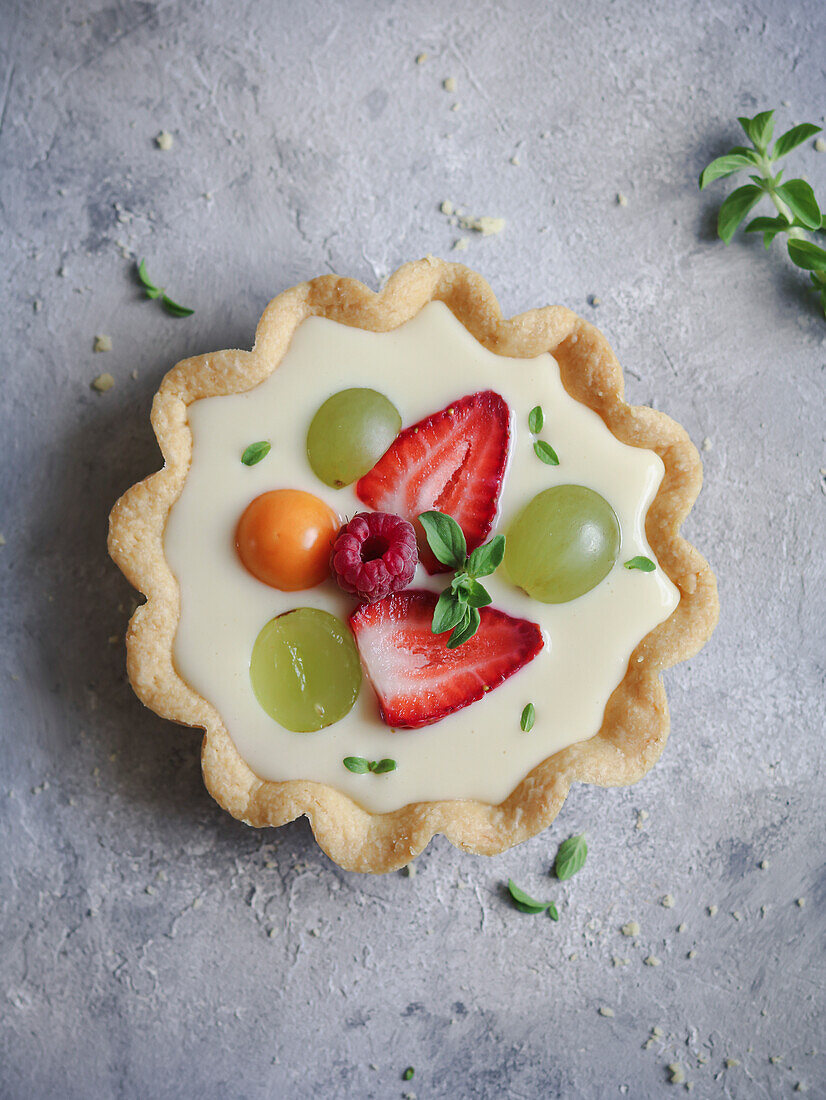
(151, 945)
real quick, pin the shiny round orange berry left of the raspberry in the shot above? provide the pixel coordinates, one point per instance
(284, 540)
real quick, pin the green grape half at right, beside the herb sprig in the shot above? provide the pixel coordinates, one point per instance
(563, 544)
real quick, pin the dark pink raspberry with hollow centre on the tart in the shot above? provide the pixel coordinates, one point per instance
(375, 555)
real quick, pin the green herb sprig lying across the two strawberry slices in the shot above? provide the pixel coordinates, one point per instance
(457, 609)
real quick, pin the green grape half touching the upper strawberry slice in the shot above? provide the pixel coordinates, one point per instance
(350, 434)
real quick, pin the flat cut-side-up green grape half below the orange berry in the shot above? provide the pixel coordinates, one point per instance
(305, 670)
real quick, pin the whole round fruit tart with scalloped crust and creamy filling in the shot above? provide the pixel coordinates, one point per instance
(413, 568)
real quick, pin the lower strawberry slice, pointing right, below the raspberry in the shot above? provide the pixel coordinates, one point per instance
(418, 680)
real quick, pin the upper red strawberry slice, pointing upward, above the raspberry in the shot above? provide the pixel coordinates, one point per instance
(453, 461)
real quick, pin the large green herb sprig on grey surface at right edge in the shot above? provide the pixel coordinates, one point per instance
(799, 213)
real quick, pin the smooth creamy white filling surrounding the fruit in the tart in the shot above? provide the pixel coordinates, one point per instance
(480, 752)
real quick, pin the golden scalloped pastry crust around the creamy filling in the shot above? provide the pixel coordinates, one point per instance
(636, 721)
